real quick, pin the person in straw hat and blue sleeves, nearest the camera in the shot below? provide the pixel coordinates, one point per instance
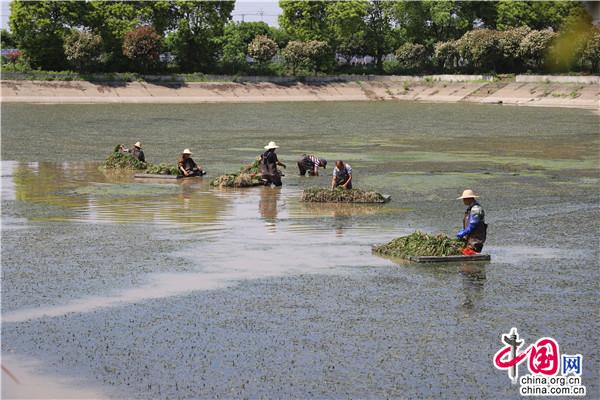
(474, 226)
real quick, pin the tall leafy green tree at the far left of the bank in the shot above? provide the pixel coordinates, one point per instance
(39, 29)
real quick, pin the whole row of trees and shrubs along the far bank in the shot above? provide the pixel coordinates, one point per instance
(313, 37)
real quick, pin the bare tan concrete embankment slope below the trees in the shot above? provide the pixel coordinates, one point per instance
(543, 91)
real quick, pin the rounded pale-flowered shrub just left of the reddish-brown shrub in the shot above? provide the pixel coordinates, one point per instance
(83, 49)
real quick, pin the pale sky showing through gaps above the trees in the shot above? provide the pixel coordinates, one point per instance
(248, 10)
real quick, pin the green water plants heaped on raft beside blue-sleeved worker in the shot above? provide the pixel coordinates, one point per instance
(421, 244)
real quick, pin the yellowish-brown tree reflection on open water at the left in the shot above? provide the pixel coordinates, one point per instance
(99, 197)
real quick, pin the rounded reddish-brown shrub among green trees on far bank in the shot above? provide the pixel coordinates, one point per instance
(142, 46)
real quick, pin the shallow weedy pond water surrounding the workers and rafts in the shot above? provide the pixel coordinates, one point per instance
(175, 289)
